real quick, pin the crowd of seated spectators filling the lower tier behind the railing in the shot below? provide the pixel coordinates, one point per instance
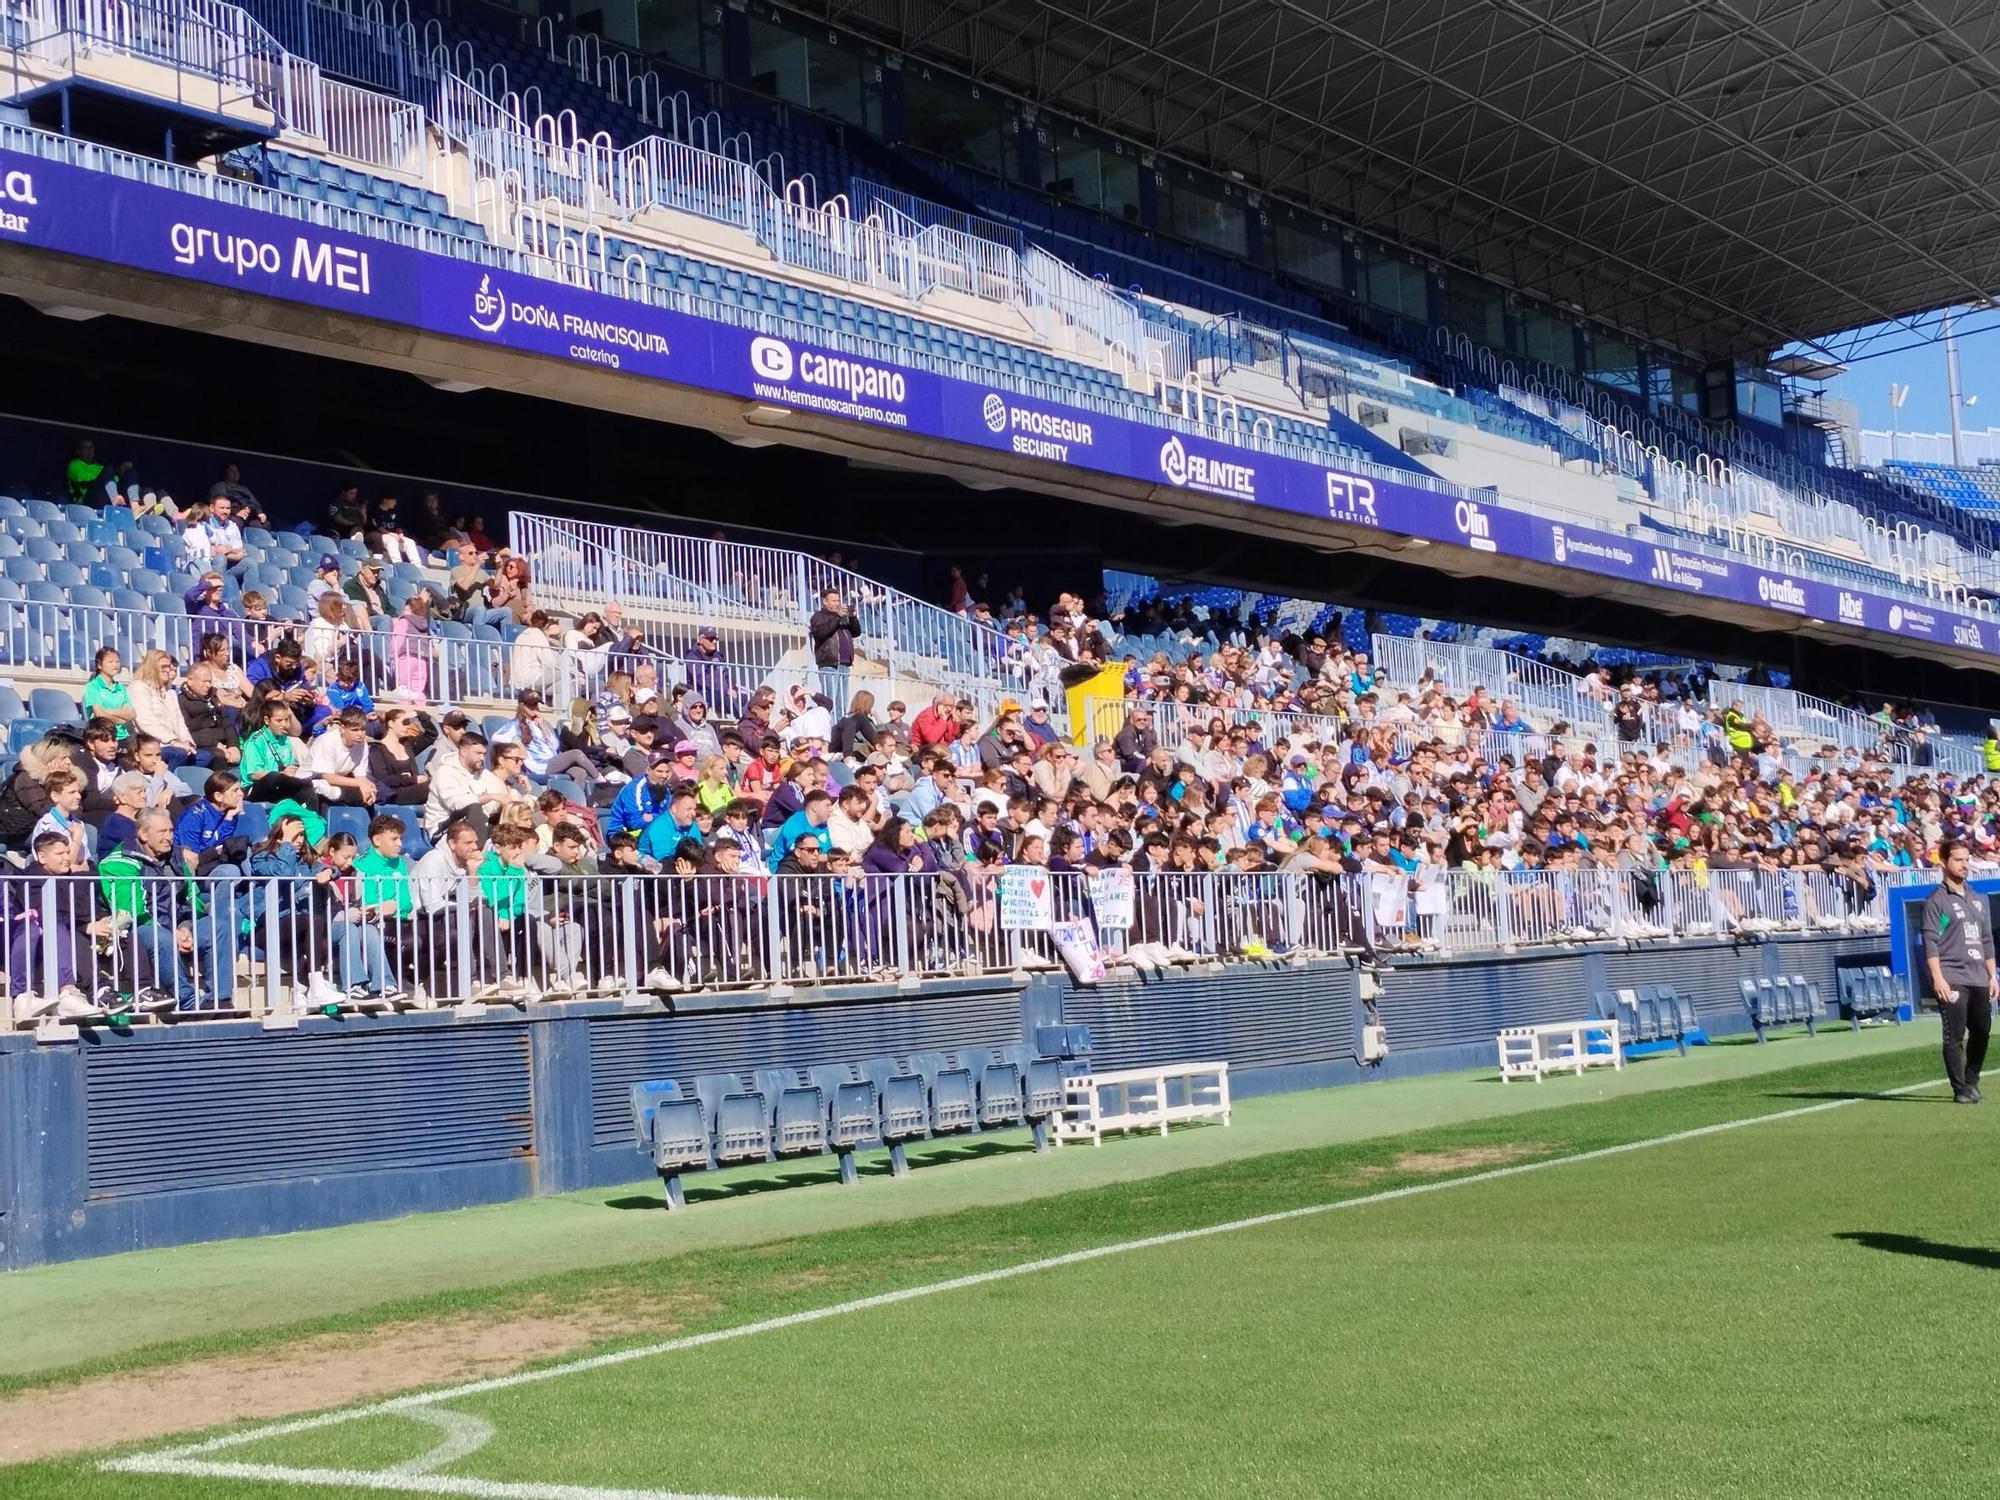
(439, 857)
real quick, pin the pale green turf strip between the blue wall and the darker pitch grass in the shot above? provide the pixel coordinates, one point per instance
(233, 1295)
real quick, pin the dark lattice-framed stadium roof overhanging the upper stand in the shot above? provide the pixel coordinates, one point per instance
(1723, 177)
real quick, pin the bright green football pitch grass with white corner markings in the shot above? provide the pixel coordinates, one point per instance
(1769, 1285)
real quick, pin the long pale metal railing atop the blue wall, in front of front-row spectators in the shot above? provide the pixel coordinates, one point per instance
(273, 931)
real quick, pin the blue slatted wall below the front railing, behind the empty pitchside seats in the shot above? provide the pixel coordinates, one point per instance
(171, 1135)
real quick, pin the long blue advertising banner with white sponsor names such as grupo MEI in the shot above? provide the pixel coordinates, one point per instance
(99, 217)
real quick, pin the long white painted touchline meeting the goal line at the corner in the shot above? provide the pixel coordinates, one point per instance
(189, 1459)
